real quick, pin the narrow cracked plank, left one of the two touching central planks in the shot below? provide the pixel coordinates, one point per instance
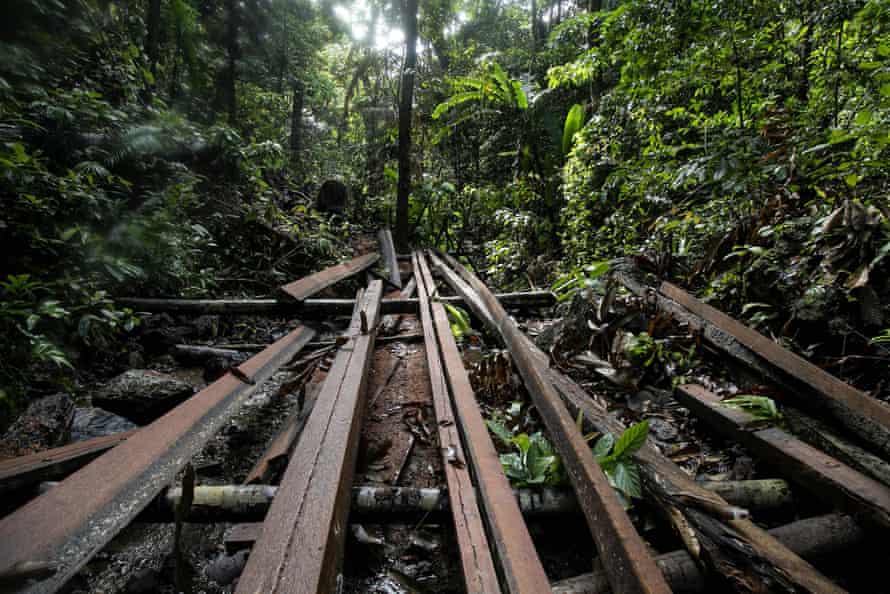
(472, 542)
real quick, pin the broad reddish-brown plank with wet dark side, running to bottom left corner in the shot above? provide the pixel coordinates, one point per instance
(71, 522)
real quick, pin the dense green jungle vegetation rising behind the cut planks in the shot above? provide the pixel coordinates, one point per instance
(153, 147)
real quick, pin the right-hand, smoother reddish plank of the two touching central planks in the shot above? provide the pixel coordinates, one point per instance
(519, 561)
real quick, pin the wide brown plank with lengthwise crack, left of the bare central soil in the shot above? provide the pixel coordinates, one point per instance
(303, 535)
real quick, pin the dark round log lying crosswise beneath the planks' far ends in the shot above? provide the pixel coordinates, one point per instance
(313, 308)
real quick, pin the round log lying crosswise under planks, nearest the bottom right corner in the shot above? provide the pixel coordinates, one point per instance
(812, 539)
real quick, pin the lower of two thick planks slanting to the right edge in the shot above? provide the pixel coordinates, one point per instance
(821, 474)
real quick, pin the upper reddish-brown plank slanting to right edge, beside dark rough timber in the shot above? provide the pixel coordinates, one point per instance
(860, 413)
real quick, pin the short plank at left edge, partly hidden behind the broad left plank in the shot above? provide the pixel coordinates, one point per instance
(55, 464)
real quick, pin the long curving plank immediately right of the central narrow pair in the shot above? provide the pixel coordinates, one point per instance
(623, 553)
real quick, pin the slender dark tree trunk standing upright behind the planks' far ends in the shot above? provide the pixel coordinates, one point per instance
(409, 24)
